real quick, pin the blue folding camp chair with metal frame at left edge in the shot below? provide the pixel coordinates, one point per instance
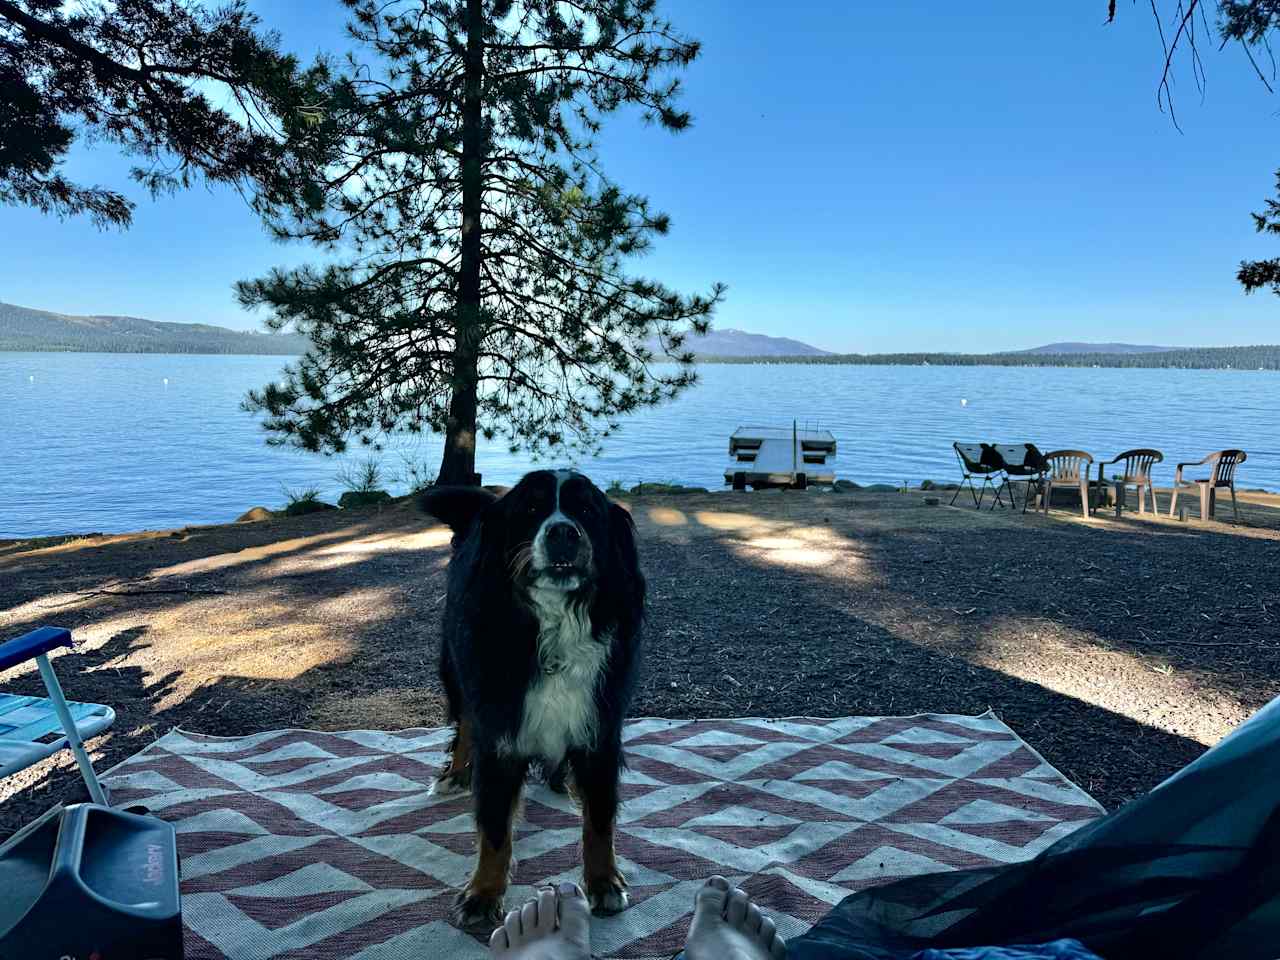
(35, 728)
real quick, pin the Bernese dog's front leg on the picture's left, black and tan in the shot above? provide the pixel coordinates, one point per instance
(496, 784)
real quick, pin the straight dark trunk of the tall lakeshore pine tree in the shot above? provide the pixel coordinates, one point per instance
(459, 465)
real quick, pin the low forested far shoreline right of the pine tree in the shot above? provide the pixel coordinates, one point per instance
(1260, 358)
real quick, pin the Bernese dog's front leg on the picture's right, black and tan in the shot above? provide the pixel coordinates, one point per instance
(597, 779)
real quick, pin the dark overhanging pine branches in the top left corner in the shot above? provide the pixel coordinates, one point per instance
(138, 74)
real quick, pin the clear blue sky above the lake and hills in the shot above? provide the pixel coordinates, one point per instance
(865, 177)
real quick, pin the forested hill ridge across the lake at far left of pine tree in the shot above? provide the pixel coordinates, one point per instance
(26, 330)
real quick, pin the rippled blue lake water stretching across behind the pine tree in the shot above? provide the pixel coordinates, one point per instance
(109, 442)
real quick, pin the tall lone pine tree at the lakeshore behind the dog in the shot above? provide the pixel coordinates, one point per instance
(477, 278)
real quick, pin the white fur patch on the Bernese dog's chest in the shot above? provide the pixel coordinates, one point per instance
(560, 707)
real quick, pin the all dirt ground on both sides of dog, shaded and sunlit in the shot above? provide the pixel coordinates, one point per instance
(1118, 648)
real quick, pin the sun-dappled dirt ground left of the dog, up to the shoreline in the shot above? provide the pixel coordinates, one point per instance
(322, 621)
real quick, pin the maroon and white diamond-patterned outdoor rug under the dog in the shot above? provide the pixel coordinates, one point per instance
(298, 844)
